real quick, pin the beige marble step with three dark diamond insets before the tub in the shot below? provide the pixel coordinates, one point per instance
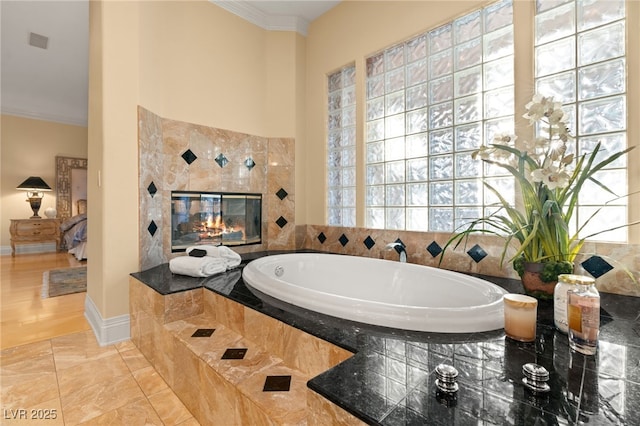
(224, 378)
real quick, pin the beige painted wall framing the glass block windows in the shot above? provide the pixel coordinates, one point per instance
(354, 30)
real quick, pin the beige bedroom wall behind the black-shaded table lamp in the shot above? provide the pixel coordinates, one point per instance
(29, 148)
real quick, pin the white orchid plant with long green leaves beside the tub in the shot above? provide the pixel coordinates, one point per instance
(549, 180)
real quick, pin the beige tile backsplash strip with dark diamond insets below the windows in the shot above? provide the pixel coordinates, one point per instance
(613, 265)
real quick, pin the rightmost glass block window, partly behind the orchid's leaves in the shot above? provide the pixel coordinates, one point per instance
(580, 61)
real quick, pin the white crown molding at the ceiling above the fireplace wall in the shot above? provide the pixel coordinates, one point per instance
(263, 20)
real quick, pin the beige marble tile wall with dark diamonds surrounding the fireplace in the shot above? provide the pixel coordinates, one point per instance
(179, 156)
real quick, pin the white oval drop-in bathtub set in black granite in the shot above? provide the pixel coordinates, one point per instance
(380, 292)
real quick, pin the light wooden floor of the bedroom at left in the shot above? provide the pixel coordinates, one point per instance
(24, 316)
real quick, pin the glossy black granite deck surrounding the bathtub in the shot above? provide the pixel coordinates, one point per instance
(390, 380)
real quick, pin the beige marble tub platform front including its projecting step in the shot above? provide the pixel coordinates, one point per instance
(274, 348)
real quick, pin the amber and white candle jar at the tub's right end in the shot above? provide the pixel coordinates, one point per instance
(520, 315)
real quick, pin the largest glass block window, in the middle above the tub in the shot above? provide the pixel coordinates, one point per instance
(431, 101)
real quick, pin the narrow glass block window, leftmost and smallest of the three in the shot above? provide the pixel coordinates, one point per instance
(341, 148)
